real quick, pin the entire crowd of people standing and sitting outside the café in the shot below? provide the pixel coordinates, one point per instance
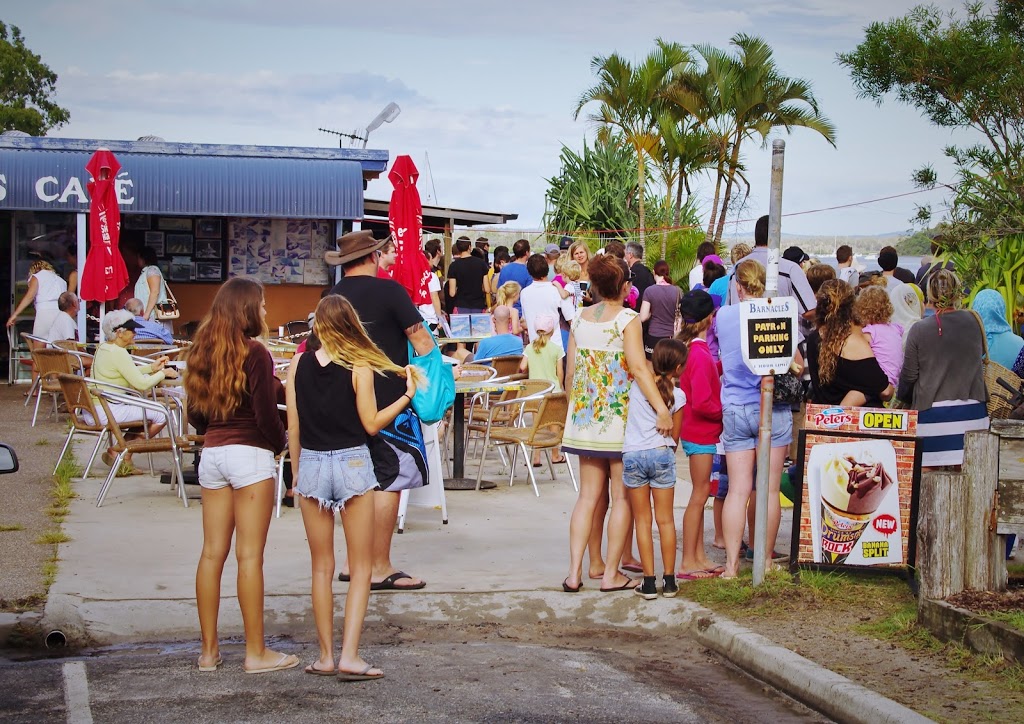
(646, 366)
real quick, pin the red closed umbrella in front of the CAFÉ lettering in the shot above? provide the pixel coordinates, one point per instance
(105, 274)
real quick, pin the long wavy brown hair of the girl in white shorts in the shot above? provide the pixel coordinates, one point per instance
(215, 379)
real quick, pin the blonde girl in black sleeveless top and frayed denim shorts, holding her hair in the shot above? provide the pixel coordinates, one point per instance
(331, 411)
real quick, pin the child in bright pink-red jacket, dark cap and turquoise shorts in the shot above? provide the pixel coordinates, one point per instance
(702, 429)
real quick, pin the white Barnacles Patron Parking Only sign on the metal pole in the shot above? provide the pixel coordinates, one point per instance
(769, 337)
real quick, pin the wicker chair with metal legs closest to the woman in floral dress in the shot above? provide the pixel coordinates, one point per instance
(544, 433)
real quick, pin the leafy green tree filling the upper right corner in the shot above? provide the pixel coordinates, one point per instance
(962, 73)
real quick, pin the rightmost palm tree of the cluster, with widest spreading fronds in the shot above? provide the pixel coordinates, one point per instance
(742, 97)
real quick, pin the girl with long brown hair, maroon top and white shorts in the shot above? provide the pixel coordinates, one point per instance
(234, 394)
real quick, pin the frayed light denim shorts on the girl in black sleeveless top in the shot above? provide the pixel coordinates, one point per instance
(332, 478)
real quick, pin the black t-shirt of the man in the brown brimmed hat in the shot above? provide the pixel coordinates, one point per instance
(387, 312)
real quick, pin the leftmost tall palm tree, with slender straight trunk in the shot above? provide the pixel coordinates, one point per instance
(630, 99)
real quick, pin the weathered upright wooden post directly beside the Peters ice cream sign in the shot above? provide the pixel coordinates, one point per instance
(941, 534)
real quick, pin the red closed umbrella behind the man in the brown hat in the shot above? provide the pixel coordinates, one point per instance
(411, 269)
